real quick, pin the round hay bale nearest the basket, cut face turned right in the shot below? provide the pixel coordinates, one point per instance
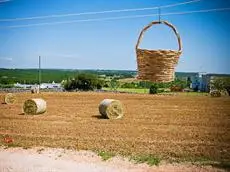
(111, 109)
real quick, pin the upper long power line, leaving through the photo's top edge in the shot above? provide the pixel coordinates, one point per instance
(98, 12)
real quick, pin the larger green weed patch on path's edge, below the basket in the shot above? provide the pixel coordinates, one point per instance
(149, 159)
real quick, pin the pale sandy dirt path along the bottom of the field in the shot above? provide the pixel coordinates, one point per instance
(60, 160)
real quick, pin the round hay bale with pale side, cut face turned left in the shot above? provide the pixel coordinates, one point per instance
(34, 106)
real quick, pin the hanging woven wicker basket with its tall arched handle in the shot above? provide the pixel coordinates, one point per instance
(157, 65)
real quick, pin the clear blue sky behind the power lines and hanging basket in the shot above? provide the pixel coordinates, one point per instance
(111, 44)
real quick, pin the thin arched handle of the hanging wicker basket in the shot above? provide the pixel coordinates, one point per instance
(160, 22)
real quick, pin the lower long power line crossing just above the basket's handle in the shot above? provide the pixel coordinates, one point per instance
(117, 18)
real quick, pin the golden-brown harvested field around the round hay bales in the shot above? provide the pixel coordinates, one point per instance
(191, 128)
